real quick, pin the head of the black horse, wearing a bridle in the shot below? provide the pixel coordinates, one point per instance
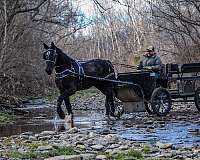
(50, 56)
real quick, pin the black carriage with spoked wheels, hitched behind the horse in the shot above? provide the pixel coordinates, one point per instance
(177, 83)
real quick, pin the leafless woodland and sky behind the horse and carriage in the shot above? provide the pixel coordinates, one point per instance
(117, 30)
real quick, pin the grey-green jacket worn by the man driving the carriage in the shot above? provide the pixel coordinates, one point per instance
(153, 61)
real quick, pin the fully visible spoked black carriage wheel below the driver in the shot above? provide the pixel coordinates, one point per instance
(161, 101)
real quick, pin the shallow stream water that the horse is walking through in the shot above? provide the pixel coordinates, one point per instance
(42, 117)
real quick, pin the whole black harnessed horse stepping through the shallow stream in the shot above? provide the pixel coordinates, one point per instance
(72, 76)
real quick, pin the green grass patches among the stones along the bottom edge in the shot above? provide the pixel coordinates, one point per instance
(32, 152)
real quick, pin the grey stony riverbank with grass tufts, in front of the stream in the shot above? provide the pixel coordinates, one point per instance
(76, 145)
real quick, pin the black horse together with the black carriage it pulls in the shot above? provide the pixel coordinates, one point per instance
(177, 82)
